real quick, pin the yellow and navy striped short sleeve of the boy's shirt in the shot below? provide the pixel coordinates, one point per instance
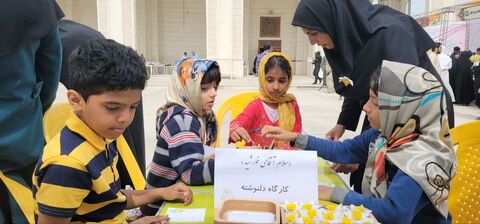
(65, 176)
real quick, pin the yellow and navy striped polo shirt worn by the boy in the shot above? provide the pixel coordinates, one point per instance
(77, 177)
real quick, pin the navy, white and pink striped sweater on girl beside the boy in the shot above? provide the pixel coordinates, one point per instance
(179, 153)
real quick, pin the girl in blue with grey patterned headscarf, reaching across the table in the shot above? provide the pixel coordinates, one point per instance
(409, 161)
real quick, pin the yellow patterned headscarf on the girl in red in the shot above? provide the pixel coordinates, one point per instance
(286, 114)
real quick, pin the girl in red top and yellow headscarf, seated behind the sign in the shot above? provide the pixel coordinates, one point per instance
(275, 106)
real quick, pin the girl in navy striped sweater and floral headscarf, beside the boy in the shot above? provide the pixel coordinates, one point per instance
(186, 127)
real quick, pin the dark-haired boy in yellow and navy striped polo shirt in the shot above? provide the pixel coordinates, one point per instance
(76, 179)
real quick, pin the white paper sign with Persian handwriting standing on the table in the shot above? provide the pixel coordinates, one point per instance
(276, 175)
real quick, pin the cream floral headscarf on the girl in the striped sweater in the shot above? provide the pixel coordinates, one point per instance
(185, 90)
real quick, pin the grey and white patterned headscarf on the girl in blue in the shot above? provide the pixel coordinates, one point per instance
(414, 133)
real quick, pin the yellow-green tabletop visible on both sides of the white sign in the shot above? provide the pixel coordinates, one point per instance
(203, 195)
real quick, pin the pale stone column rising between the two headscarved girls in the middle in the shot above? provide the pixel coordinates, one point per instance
(225, 35)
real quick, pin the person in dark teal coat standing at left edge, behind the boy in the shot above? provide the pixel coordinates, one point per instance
(30, 61)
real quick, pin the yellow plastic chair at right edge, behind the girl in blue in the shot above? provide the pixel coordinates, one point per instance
(464, 198)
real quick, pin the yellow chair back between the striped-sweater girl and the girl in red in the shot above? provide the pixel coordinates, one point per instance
(235, 105)
